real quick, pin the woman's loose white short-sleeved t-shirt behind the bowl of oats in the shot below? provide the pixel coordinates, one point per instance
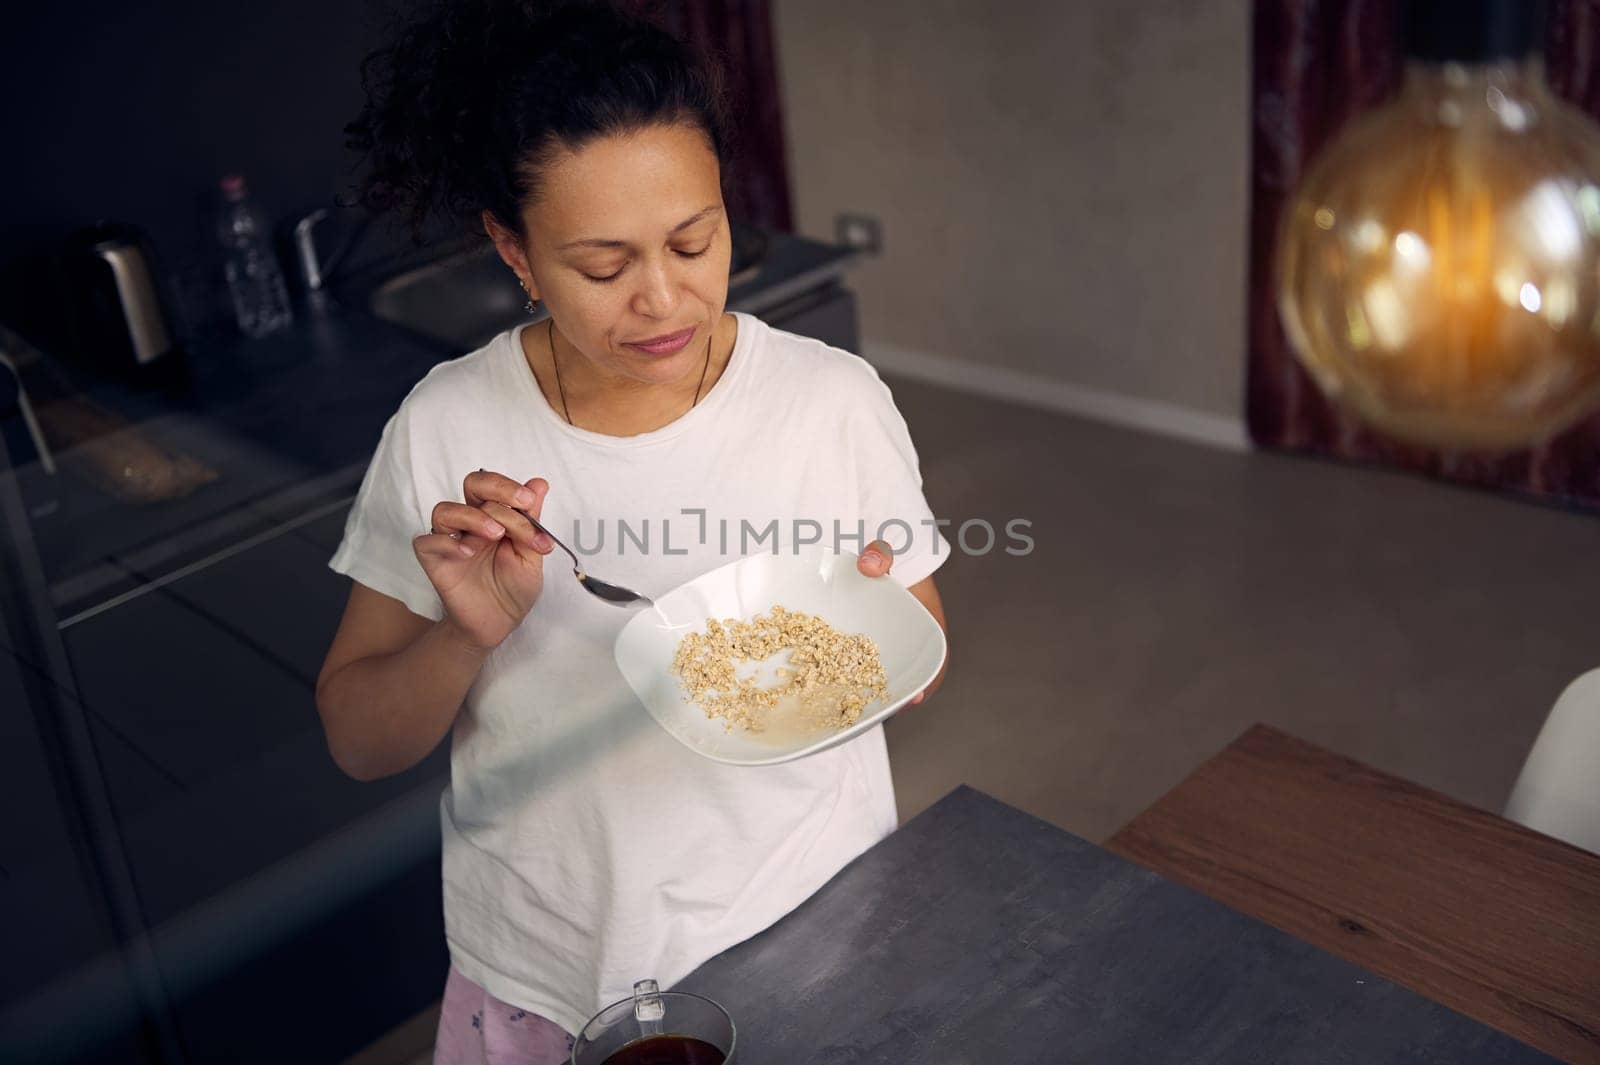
(583, 847)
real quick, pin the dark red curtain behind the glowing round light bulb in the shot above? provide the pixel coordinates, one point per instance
(1316, 65)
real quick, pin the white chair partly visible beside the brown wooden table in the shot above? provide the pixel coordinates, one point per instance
(1559, 788)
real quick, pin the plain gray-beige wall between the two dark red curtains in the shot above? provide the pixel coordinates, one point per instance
(1062, 183)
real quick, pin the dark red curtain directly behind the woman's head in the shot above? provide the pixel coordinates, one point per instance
(738, 34)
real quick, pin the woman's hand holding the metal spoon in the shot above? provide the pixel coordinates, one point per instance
(486, 559)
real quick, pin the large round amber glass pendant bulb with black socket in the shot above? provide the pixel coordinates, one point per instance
(1439, 266)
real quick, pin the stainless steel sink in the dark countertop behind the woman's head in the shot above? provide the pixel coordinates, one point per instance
(466, 297)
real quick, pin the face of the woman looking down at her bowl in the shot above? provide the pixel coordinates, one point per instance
(626, 245)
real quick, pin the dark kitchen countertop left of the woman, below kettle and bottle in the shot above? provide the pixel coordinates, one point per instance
(289, 423)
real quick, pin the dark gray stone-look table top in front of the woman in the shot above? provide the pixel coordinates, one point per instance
(978, 935)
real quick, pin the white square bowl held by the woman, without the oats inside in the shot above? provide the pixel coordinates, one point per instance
(815, 581)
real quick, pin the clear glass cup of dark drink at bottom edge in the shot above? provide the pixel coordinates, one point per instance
(657, 1027)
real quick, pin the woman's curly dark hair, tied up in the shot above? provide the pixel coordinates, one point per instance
(473, 98)
